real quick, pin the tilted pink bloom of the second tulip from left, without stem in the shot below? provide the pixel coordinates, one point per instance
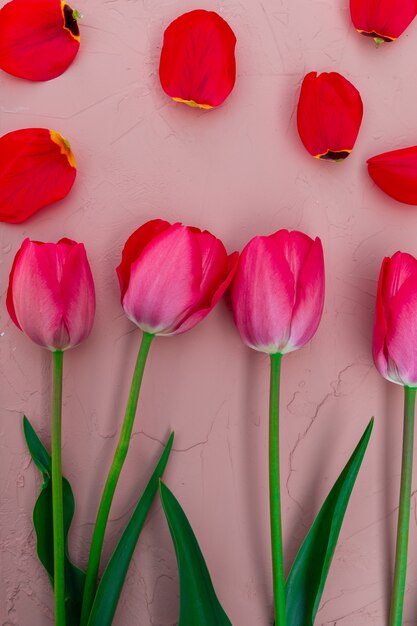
(171, 276)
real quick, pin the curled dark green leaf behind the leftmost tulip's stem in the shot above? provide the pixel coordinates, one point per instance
(42, 520)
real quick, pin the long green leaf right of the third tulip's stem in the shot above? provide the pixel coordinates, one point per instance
(306, 580)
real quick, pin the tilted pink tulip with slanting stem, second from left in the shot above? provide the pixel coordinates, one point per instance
(170, 276)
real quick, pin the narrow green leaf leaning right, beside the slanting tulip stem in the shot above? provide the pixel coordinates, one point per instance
(110, 587)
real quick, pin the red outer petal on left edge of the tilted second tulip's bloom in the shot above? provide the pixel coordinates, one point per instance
(134, 247)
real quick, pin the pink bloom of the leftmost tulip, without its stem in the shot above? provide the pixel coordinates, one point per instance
(51, 294)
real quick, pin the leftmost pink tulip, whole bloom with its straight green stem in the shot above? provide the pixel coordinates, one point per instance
(51, 299)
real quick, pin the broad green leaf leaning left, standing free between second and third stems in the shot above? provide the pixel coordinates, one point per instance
(199, 605)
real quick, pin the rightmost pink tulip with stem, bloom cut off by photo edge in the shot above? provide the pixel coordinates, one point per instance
(395, 356)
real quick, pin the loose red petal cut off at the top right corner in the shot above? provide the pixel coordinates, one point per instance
(382, 19)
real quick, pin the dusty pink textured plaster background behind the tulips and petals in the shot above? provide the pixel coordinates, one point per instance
(238, 171)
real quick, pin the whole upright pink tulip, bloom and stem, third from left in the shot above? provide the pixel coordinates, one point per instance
(277, 298)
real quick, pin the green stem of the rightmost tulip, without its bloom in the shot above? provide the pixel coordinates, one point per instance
(400, 572)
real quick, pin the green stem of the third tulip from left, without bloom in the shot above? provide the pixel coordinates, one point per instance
(274, 494)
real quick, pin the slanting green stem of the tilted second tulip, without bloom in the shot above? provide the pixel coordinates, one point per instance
(112, 479)
